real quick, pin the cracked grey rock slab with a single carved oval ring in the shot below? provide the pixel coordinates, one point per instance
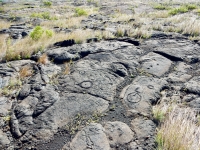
(96, 82)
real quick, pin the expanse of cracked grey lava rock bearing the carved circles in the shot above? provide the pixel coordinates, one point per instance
(119, 79)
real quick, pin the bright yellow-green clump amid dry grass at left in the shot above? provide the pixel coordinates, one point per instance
(38, 32)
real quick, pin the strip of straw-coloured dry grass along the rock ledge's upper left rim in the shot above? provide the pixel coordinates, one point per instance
(26, 47)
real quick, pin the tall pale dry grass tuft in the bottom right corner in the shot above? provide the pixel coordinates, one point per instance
(179, 131)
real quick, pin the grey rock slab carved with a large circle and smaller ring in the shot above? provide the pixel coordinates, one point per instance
(140, 95)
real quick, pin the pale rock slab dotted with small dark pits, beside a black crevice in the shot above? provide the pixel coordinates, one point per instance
(155, 64)
